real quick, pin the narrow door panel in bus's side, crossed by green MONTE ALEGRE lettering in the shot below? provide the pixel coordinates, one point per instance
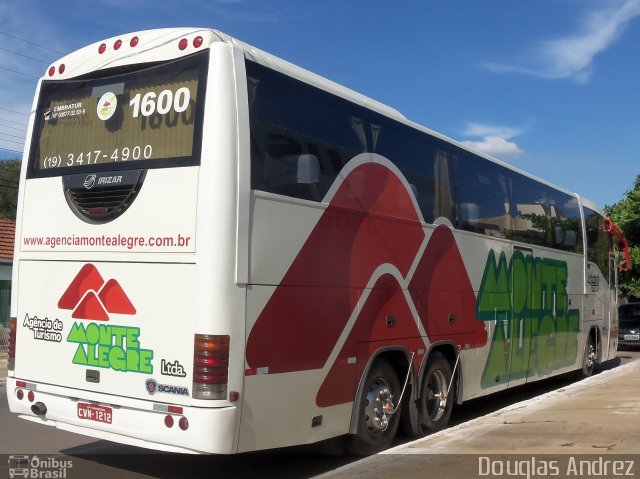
(522, 302)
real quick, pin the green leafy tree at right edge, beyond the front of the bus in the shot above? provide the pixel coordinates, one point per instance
(626, 214)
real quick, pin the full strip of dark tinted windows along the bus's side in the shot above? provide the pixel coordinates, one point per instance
(302, 136)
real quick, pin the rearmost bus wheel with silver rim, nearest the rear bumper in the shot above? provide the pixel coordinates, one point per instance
(377, 416)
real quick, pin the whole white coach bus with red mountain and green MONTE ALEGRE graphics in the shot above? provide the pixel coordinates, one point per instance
(219, 252)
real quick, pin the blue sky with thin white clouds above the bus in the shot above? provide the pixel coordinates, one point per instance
(548, 86)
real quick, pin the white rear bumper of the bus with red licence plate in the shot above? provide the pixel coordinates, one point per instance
(137, 423)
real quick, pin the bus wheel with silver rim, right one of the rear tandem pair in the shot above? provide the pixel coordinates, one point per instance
(434, 404)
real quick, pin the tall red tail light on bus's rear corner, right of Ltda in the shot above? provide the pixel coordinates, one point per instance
(210, 366)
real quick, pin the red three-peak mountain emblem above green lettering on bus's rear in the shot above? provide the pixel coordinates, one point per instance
(89, 296)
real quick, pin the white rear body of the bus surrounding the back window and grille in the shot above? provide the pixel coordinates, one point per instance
(175, 288)
